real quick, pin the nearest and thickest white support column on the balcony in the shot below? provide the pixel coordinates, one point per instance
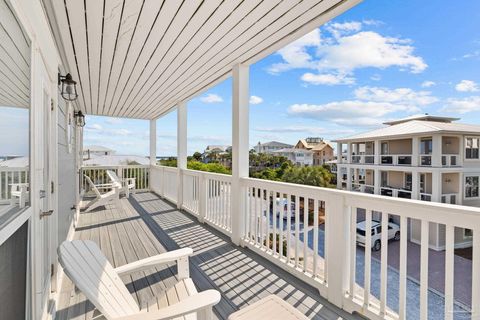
(240, 154)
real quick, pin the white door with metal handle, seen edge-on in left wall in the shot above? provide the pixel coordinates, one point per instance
(44, 214)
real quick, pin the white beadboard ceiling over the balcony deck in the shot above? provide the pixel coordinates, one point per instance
(139, 58)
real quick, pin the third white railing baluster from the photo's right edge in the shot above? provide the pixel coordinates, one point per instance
(424, 271)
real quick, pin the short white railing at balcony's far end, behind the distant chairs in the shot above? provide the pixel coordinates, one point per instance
(98, 175)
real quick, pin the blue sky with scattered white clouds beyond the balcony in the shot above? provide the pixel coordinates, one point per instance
(379, 61)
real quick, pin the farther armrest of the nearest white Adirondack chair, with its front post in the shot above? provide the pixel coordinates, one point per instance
(148, 263)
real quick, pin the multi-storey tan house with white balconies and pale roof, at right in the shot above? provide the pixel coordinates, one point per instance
(425, 157)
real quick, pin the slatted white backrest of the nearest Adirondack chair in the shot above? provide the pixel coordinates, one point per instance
(90, 271)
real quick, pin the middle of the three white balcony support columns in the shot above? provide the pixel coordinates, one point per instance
(181, 149)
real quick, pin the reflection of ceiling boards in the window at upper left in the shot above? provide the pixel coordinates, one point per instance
(14, 61)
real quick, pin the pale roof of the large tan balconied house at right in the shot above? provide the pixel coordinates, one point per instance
(415, 127)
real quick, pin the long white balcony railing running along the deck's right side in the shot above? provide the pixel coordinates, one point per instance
(284, 223)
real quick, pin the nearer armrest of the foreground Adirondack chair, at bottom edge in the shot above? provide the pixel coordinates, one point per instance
(194, 303)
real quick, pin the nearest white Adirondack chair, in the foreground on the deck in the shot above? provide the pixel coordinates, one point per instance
(90, 271)
